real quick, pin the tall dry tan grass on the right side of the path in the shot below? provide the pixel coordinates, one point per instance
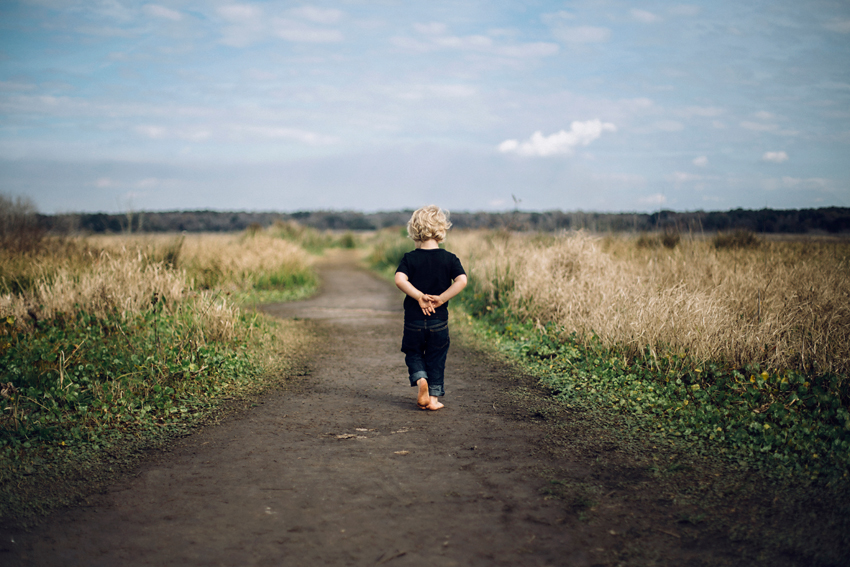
(781, 305)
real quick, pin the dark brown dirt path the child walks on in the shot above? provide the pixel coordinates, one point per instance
(340, 467)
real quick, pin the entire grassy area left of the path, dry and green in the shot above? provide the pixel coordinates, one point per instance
(126, 342)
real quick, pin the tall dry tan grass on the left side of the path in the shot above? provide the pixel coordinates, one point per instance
(125, 274)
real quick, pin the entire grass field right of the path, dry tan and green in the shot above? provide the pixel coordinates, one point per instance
(737, 343)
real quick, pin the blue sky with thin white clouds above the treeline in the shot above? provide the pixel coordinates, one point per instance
(114, 105)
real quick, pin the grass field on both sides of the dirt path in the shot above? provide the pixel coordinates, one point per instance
(735, 344)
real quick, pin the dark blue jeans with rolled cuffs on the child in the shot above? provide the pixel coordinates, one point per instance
(425, 345)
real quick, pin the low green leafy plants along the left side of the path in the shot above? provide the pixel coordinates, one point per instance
(92, 381)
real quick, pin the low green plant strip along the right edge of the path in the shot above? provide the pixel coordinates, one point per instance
(783, 424)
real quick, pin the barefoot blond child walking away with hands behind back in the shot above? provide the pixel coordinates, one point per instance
(430, 277)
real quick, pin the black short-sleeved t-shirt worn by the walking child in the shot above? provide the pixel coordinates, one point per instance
(431, 272)
